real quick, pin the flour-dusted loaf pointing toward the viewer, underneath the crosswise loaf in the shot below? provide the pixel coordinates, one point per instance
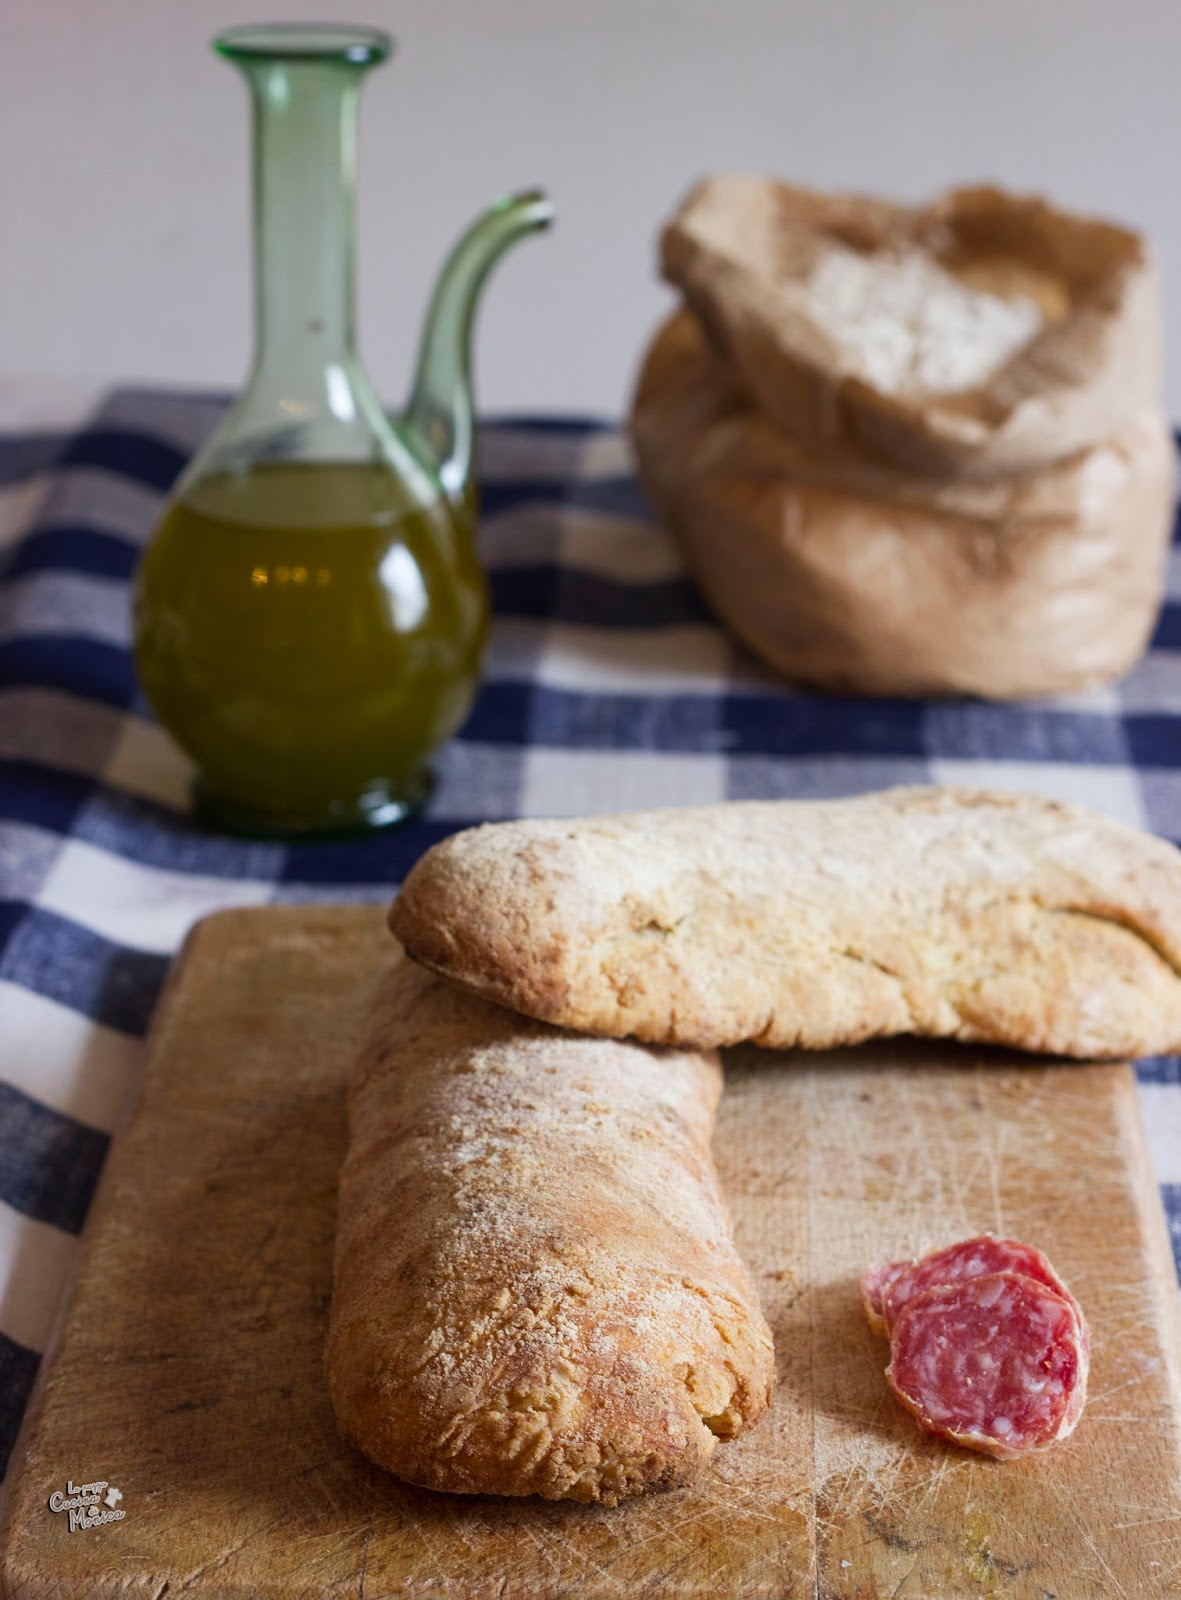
(537, 1290)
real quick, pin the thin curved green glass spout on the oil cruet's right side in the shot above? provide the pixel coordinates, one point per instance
(439, 422)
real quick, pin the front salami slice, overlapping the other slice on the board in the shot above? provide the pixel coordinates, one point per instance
(995, 1362)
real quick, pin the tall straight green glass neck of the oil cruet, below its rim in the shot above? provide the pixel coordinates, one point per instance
(305, 222)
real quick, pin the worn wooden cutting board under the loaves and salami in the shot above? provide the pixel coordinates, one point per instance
(186, 1372)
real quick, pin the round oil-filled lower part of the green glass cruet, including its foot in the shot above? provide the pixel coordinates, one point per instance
(310, 634)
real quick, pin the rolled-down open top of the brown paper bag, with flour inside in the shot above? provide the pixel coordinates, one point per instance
(980, 335)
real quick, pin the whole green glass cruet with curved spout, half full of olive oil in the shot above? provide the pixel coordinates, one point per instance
(310, 615)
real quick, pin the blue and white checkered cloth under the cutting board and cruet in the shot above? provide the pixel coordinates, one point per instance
(607, 687)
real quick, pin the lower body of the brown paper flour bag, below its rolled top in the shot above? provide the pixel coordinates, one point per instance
(849, 574)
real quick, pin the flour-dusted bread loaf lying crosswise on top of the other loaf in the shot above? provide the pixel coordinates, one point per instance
(937, 911)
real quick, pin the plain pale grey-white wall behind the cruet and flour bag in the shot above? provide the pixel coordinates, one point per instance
(124, 167)
